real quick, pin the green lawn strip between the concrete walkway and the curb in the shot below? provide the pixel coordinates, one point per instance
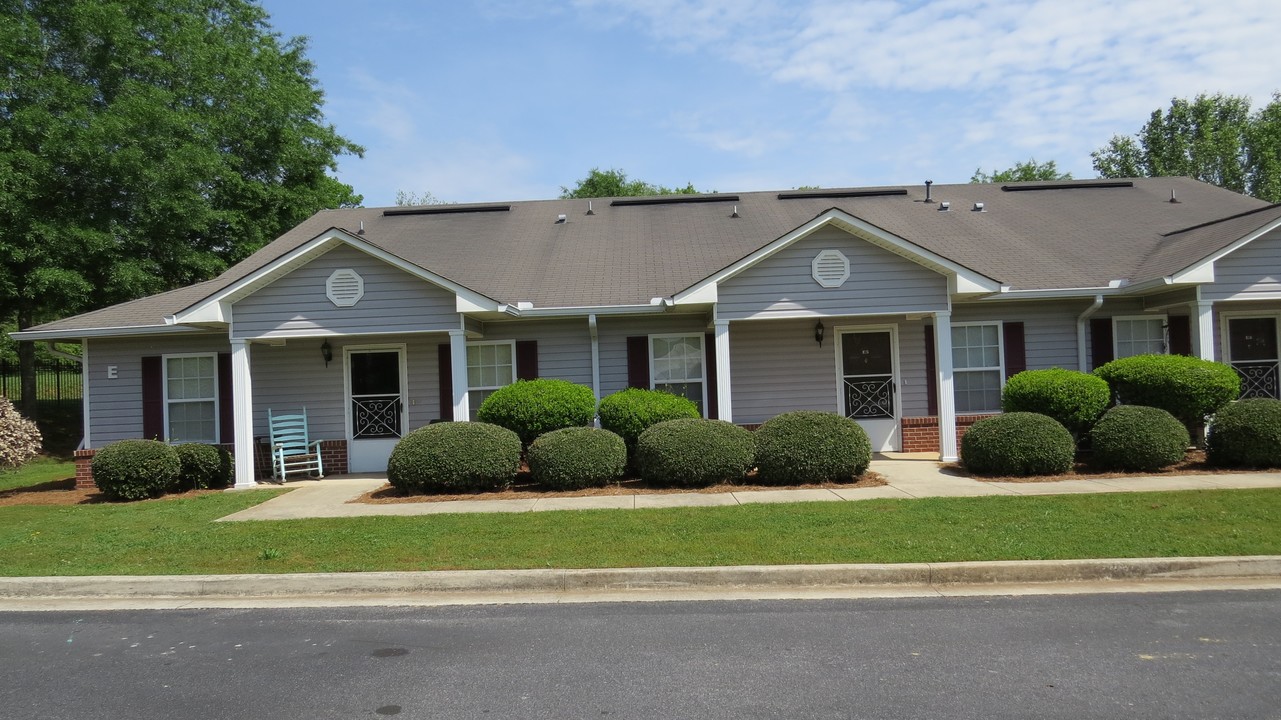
(179, 537)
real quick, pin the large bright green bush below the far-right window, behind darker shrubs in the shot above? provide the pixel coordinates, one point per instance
(1189, 389)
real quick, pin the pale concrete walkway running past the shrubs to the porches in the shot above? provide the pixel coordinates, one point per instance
(909, 477)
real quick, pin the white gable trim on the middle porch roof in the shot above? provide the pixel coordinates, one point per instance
(961, 280)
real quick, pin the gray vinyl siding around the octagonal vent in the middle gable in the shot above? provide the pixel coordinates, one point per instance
(881, 282)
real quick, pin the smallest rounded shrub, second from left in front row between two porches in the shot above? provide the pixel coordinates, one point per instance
(577, 458)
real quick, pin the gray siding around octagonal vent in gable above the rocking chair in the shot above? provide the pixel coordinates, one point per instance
(297, 304)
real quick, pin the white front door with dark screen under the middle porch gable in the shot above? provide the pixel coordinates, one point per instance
(869, 393)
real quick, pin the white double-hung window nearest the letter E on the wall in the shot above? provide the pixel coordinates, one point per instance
(192, 398)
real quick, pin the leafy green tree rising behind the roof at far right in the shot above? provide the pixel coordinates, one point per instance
(1215, 139)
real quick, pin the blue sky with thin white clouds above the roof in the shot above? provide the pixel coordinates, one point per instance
(490, 101)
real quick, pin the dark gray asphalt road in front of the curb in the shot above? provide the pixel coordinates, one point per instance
(1173, 655)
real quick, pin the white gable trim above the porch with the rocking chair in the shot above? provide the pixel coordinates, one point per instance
(217, 307)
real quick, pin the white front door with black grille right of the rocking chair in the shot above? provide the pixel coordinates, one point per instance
(376, 407)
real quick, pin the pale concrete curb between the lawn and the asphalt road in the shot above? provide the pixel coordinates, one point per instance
(733, 578)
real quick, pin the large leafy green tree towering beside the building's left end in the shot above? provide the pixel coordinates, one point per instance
(147, 145)
